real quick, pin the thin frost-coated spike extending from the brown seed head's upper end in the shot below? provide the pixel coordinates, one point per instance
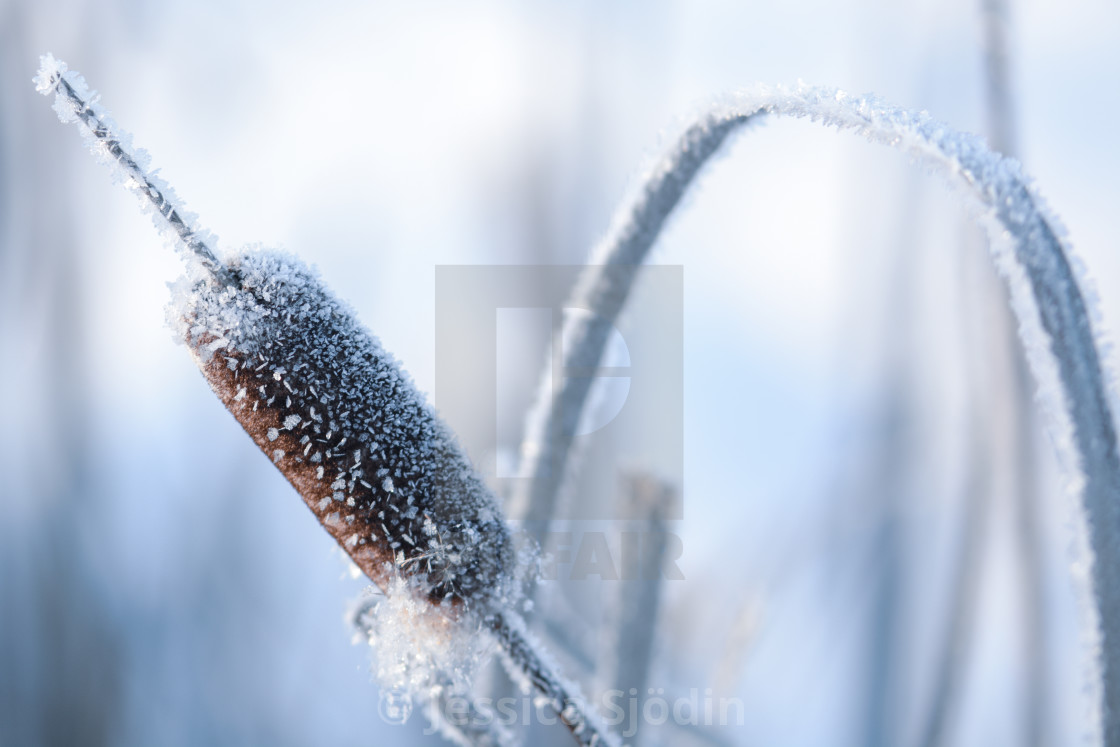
(111, 146)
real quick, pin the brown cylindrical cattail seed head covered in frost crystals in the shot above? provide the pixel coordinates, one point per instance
(344, 424)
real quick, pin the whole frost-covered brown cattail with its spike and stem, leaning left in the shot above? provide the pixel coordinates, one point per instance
(343, 423)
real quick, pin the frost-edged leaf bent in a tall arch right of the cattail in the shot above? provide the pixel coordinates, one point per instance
(1056, 305)
